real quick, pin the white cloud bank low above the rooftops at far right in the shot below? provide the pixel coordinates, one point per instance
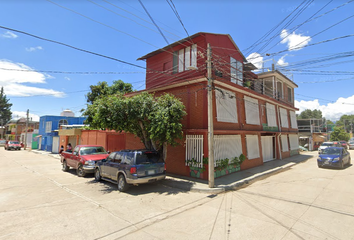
(331, 111)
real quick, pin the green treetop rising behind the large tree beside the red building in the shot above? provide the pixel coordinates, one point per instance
(103, 89)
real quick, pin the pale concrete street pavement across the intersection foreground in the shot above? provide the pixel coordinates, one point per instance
(39, 201)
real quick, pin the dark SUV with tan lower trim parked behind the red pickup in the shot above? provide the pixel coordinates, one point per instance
(131, 167)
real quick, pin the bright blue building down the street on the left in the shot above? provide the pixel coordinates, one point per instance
(49, 128)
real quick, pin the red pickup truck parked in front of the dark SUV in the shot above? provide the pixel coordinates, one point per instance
(83, 158)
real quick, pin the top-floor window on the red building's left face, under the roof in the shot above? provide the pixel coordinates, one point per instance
(185, 58)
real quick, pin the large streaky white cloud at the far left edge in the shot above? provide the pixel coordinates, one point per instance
(13, 77)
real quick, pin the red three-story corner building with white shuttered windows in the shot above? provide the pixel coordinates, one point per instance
(253, 115)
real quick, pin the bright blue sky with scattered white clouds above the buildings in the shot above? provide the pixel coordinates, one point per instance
(310, 41)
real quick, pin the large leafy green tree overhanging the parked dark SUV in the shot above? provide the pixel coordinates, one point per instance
(155, 120)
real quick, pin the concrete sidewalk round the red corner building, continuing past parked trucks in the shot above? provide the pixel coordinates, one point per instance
(230, 182)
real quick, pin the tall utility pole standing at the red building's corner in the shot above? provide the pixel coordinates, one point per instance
(210, 120)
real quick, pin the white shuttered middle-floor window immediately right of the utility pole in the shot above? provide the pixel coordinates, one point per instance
(226, 109)
